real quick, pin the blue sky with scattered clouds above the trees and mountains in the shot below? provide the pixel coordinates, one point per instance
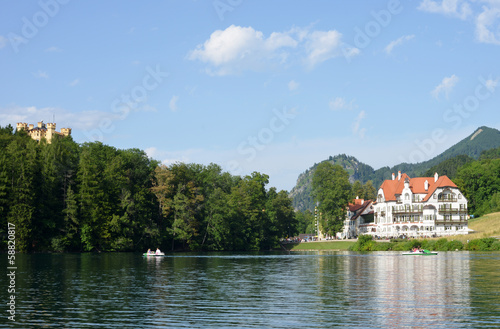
(268, 86)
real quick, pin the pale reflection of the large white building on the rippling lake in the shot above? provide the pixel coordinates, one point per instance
(403, 291)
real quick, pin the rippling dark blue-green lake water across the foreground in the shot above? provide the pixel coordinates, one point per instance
(255, 290)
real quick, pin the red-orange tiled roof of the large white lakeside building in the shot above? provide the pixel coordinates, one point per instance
(393, 188)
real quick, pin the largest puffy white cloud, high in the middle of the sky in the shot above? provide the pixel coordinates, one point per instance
(239, 48)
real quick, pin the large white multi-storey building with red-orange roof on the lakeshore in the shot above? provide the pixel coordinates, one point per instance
(419, 207)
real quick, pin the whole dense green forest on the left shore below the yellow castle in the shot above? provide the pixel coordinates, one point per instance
(65, 196)
